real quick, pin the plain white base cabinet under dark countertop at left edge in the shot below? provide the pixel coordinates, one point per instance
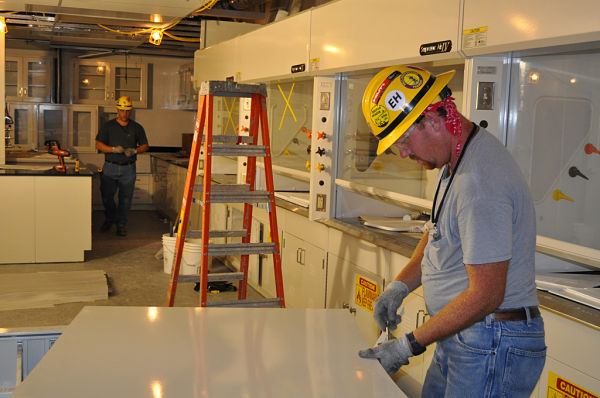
(50, 218)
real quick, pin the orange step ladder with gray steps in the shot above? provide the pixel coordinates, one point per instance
(222, 145)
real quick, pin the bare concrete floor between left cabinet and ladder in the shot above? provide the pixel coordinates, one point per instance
(136, 275)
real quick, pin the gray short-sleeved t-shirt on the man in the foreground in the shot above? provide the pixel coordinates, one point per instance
(488, 216)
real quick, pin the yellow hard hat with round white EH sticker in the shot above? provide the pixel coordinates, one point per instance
(396, 97)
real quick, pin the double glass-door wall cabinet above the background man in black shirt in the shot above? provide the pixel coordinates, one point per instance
(102, 83)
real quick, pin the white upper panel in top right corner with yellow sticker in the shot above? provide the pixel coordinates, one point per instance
(494, 26)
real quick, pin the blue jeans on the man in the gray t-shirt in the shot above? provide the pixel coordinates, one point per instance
(488, 359)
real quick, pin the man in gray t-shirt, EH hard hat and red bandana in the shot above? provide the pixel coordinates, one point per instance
(476, 262)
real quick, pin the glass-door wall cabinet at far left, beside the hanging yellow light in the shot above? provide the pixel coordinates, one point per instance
(28, 79)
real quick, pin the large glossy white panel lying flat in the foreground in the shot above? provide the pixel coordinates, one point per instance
(162, 352)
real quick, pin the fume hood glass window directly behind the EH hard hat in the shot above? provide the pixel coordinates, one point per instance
(358, 161)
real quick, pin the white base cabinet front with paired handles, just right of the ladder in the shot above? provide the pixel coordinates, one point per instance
(304, 273)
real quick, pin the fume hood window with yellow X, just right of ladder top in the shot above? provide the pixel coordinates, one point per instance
(289, 106)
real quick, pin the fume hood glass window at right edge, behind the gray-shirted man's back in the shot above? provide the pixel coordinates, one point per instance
(554, 136)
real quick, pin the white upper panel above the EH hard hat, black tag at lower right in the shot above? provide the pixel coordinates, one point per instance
(354, 34)
